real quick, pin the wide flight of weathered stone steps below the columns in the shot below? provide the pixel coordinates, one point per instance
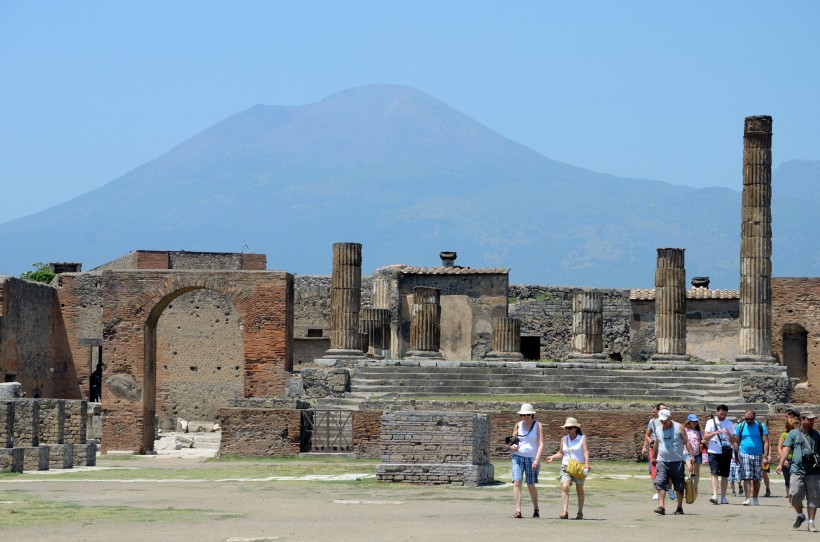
(679, 385)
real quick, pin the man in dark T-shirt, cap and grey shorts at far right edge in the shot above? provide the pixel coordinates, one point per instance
(803, 445)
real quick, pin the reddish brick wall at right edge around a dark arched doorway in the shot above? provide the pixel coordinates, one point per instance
(796, 305)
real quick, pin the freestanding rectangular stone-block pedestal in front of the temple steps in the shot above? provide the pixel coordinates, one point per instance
(435, 448)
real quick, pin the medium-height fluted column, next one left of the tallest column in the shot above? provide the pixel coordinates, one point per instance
(670, 306)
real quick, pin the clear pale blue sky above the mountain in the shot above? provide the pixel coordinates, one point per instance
(659, 90)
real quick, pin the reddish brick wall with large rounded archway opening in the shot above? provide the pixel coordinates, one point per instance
(132, 304)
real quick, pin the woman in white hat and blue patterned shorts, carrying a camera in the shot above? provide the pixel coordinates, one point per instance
(527, 444)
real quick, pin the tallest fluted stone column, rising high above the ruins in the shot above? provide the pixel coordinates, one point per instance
(756, 244)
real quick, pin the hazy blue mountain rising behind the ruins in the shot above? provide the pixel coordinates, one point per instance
(408, 176)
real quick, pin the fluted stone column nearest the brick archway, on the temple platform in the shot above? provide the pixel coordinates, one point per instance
(345, 298)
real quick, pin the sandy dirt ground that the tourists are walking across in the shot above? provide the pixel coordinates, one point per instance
(320, 511)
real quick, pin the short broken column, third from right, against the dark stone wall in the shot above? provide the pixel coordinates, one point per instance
(587, 326)
